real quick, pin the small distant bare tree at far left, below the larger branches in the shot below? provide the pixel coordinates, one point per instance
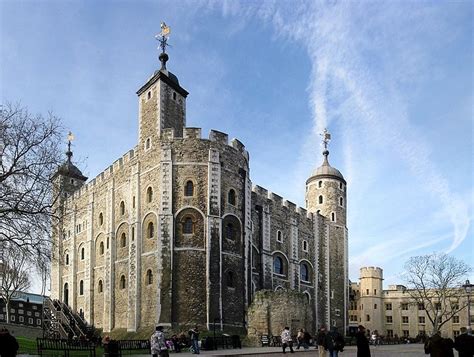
(14, 276)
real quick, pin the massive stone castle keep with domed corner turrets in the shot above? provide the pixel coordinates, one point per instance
(174, 232)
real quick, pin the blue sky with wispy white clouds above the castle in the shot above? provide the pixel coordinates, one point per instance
(393, 82)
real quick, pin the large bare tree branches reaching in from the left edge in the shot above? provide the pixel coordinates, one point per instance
(29, 155)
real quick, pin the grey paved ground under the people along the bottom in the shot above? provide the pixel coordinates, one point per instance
(414, 350)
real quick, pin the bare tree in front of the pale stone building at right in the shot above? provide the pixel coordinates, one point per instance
(434, 283)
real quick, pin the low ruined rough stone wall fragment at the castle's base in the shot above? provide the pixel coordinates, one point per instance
(271, 311)
